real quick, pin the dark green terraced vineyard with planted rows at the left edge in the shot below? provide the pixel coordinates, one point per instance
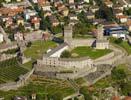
(10, 70)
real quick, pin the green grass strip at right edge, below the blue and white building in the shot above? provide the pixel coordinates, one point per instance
(123, 44)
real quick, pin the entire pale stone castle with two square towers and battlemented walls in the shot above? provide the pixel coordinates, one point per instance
(74, 67)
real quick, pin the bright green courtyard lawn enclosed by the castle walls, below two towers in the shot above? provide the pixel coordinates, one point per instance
(84, 51)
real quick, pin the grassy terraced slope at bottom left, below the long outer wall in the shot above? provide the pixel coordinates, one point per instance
(56, 89)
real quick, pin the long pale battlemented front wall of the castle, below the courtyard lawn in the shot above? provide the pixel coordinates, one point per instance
(66, 63)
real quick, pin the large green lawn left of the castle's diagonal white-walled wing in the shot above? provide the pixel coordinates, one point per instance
(38, 48)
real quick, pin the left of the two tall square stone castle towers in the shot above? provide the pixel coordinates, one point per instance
(68, 34)
